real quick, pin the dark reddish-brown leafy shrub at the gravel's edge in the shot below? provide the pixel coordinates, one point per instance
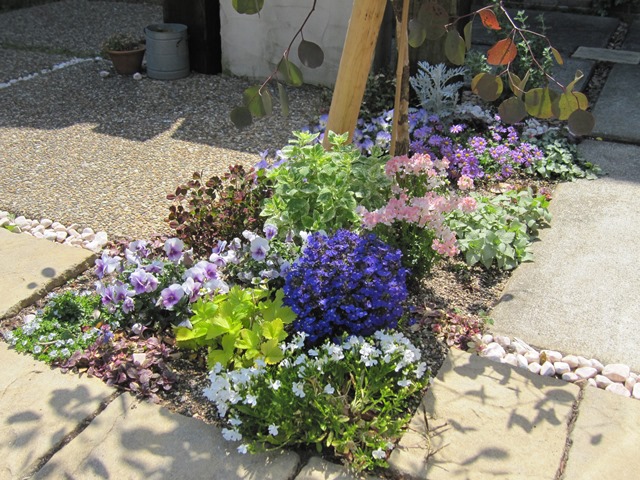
(219, 208)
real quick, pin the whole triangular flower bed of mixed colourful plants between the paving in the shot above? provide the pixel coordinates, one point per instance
(319, 288)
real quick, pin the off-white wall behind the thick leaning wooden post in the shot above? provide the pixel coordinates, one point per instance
(252, 45)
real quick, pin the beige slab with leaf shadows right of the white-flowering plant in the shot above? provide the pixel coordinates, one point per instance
(484, 420)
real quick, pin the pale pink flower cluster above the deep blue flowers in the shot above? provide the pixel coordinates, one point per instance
(425, 211)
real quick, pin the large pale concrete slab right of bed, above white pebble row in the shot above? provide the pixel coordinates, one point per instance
(580, 295)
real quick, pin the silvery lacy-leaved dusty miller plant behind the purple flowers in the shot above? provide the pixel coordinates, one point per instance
(432, 84)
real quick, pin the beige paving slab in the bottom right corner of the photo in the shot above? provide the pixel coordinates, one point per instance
(605, 438)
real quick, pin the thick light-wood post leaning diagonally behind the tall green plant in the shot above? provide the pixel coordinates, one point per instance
(355, 64)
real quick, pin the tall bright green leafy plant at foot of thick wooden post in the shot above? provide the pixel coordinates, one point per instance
(317, 189)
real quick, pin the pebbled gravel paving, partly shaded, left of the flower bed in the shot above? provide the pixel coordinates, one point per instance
(104, 152)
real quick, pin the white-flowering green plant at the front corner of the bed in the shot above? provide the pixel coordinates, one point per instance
(350, 398)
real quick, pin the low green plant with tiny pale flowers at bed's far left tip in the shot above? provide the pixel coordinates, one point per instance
(64, 326)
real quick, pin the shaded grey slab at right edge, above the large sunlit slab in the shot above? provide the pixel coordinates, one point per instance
(618, 114)
